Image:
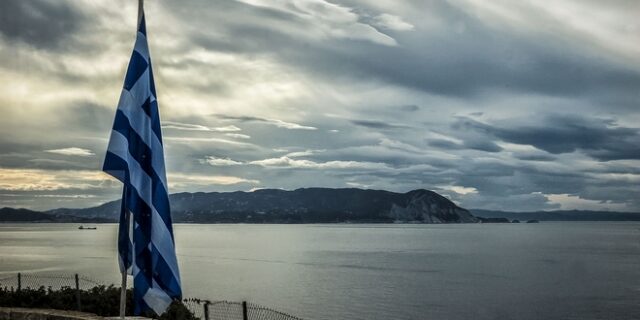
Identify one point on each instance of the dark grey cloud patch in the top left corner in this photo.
(44, 24)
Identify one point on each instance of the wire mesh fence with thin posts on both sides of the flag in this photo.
(201, 308)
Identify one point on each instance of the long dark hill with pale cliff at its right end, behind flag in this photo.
(308, 205)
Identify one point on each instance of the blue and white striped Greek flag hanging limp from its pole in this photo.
(135, 156)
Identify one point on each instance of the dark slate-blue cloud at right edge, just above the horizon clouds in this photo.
(602, 139)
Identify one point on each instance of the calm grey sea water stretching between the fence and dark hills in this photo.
(472, 271)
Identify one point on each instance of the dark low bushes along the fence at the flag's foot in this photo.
(101, 300)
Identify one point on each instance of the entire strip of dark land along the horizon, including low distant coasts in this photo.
(313, 205)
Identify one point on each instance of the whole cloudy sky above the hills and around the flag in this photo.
(511, 105)
